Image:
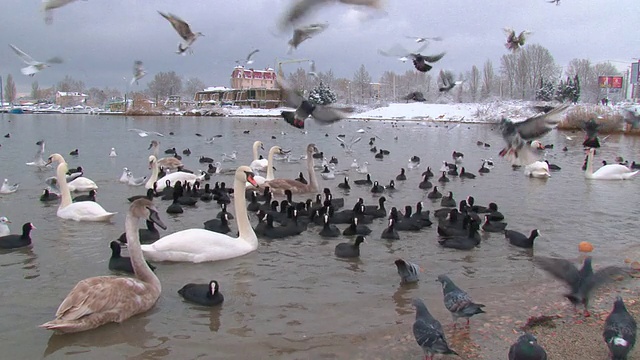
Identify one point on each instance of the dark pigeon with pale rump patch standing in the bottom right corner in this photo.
(619, 331)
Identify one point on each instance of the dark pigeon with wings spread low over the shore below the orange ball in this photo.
(582, 281)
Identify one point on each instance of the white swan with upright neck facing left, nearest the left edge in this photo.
(80, 211)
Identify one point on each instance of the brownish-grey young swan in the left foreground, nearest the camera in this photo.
(99, 300)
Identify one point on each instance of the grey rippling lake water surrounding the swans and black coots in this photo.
(292, 298)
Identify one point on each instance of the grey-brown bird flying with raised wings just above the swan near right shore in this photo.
(517, 134)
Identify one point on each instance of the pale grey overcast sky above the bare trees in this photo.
(100, 39)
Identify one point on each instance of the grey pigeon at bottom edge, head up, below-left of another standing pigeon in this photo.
(428, 332)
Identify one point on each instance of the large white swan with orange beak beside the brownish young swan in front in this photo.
(200, 245)
